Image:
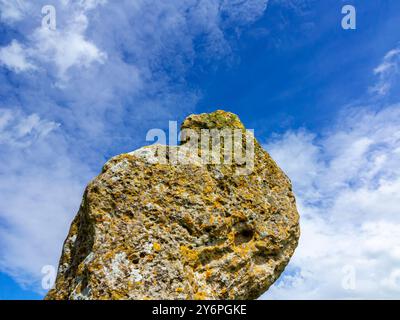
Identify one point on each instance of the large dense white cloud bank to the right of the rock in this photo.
(348, 190)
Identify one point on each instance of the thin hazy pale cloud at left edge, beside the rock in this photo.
(38, 185)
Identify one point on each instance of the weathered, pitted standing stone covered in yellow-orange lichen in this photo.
(151, 230)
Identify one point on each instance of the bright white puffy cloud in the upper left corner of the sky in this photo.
(65, 47)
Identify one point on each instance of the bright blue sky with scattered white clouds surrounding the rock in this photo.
(323, 101)
